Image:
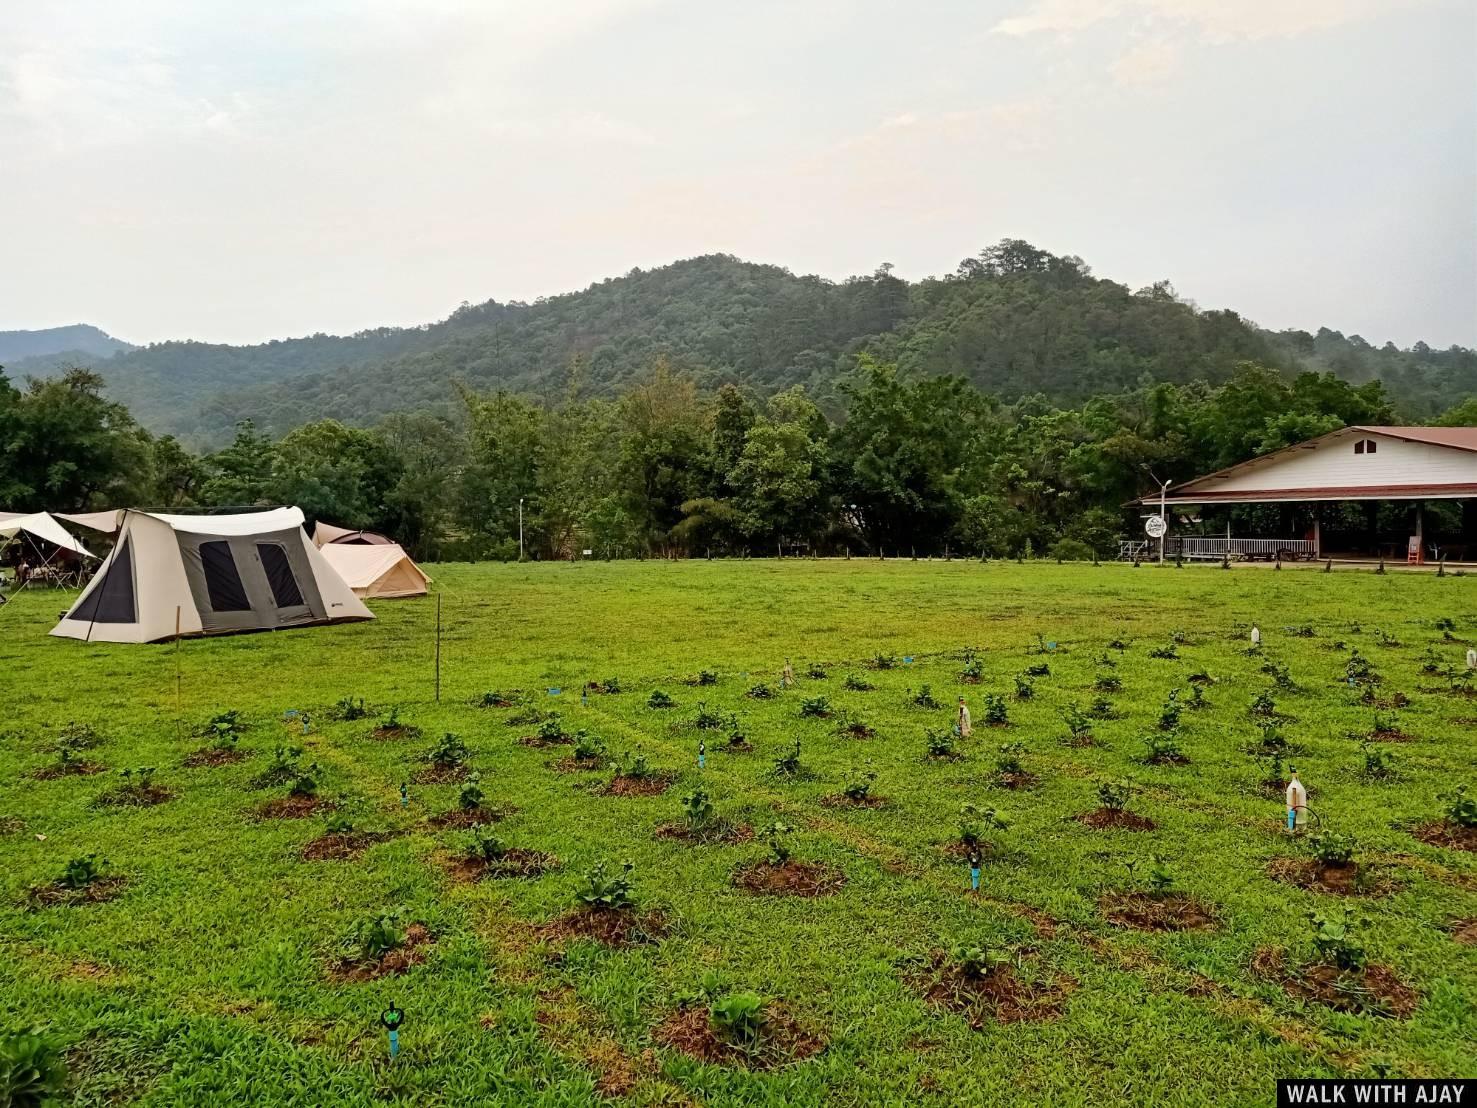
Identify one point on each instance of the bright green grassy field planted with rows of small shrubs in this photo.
(215, 971)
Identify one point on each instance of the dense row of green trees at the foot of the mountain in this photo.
(914, 463)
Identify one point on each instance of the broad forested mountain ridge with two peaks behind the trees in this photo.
(1014, 320)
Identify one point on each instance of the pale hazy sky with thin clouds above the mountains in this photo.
(237, 172)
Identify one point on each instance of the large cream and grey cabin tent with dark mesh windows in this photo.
(206, 575)
